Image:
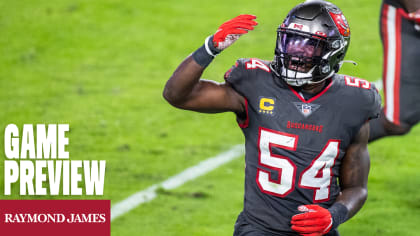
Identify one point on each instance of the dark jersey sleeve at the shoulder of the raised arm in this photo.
(237, 75)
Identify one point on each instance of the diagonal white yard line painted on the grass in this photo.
(191, 173)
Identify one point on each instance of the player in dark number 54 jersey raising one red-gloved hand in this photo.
(305, 127)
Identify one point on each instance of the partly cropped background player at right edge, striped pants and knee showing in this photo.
(400, 34)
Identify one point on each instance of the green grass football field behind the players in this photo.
(101, 65)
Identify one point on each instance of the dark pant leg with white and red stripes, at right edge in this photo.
(401, 70)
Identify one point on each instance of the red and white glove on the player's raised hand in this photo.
(231, 30)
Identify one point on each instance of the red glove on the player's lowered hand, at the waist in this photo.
(315, 221)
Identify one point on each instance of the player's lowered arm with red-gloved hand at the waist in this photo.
(316, 220)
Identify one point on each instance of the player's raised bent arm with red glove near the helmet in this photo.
(186, 90)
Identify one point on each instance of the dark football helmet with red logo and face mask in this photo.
(311, 43)
